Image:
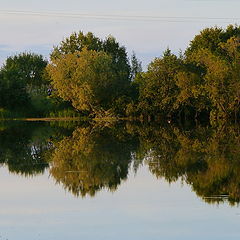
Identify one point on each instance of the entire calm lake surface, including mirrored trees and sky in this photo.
(105, 181)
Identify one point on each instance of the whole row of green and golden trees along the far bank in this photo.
(96, 78)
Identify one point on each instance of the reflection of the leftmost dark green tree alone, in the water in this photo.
(22, 148)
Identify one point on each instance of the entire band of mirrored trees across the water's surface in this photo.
(88, 158)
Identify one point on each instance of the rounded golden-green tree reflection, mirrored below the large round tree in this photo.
(93, 159)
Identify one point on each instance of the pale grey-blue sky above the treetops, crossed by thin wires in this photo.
(146, 27)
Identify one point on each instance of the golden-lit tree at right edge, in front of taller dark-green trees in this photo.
(218, 81)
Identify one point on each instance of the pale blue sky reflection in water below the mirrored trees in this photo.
(141, 208)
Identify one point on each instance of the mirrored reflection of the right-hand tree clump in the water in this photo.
(207, 159)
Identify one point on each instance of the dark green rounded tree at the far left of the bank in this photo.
(21, 76)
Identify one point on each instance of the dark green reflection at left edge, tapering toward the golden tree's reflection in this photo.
(25, 146)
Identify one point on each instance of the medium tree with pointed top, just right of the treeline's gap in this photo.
(157, 87)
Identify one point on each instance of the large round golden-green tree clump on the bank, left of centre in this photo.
(98, 72)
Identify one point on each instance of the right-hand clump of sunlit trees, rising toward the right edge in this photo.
(202, 81)
